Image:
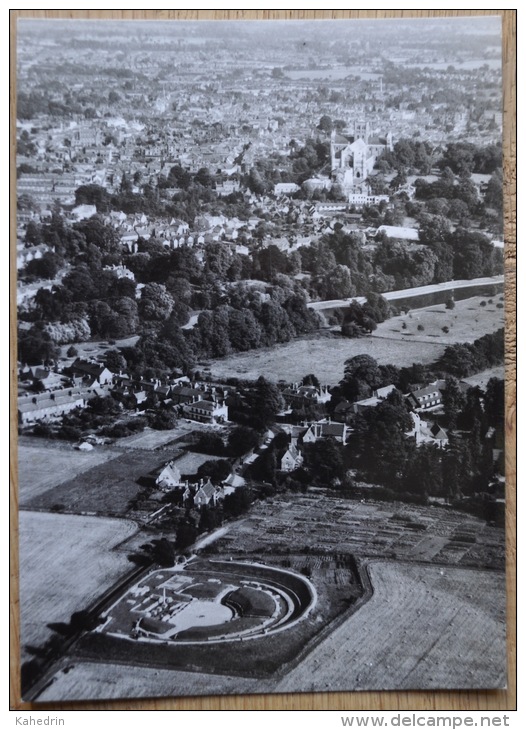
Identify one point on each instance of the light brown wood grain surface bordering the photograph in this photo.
(400, 701)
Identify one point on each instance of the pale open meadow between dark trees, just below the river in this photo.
(325, 354)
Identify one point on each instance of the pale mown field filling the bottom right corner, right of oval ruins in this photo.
(423, 627)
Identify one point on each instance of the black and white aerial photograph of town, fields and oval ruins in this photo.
(260, 330)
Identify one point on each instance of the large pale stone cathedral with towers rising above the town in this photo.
(354, 154)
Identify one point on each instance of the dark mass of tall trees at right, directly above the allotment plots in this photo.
(383, 455)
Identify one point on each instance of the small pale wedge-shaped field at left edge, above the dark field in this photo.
(42, 467)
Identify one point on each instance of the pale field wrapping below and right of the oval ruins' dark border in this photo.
(424, 626)
